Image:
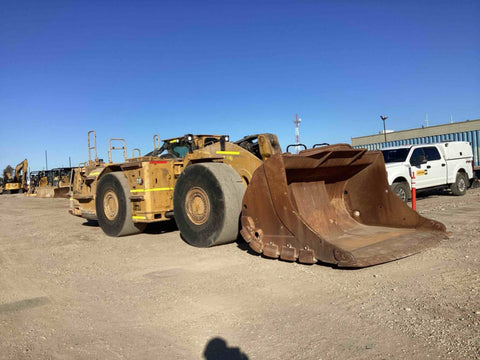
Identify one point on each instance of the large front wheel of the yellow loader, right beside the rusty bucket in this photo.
(207, 203)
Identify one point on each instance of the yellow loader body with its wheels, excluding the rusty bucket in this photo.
(199, 178)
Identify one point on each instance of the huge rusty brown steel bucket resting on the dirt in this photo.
(332, 204)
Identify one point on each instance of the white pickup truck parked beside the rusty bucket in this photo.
(447, 164)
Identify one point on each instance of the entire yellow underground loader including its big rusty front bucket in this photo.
(330, 204)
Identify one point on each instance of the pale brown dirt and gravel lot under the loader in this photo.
(70, 292)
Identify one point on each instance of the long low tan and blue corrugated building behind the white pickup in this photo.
(460, 131)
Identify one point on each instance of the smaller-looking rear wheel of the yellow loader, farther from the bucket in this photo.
(113, 206)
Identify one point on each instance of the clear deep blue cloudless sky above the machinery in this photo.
(133, 69)
